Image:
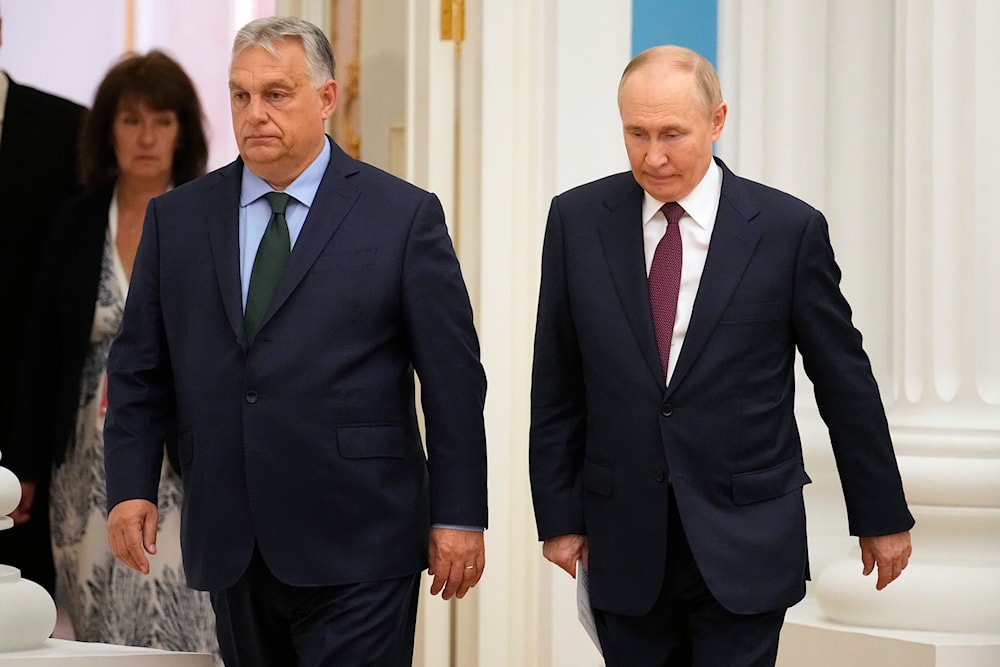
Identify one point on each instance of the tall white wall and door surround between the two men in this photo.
(547, 120)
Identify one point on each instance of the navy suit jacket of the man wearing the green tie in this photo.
(305, 443)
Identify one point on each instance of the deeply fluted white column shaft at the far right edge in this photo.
(946, 404)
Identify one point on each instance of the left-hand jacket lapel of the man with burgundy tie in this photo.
(621, 237)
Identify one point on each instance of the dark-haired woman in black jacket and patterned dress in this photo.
(144, 135)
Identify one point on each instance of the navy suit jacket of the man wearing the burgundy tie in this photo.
(607, 438)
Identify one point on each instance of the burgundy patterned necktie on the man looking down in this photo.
(665, 281)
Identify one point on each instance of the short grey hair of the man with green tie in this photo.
(269, 31)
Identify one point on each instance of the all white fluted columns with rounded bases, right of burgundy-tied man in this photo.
(880, 114)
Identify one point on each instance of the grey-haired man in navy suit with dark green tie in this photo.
(309, 506)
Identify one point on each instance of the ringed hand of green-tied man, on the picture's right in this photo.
(457, 558)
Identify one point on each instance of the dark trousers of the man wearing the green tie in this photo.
(262, 622)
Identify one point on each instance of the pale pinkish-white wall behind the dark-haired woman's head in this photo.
(65, 47)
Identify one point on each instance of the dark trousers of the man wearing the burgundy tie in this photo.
(687, 626)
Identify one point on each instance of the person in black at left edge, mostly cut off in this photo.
(38, 172)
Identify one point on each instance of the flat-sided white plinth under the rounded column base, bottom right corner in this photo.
(809, 638)
